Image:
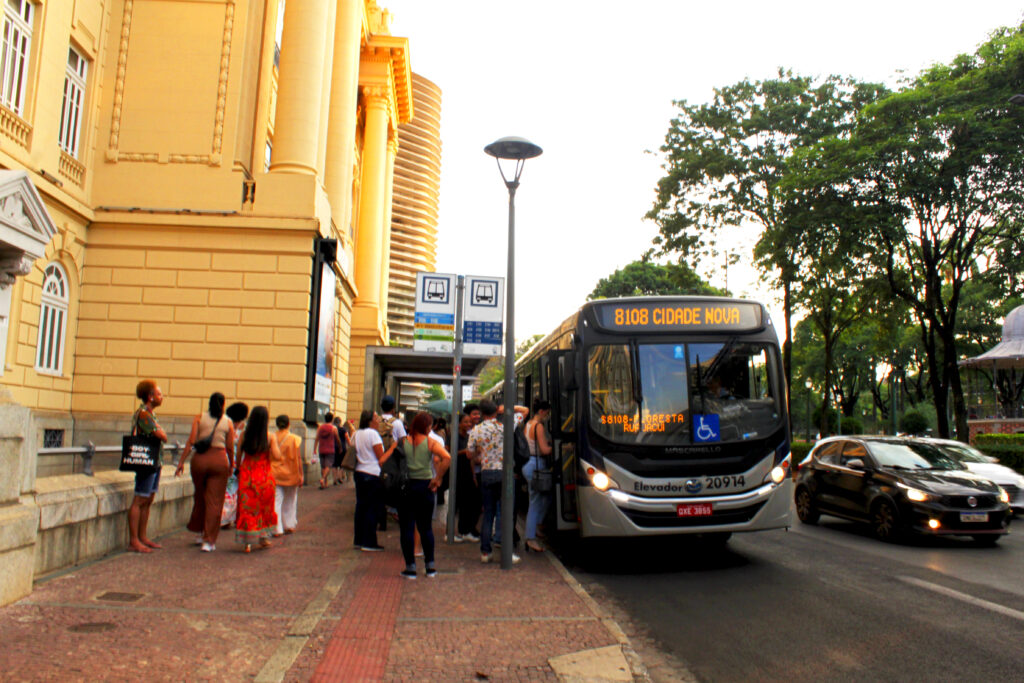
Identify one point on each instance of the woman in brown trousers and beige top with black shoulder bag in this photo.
(212, 438)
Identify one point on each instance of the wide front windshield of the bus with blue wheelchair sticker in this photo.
(681, 394)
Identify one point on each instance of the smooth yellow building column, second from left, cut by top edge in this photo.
(345, 100)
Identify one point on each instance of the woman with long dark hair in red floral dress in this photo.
(258, 520)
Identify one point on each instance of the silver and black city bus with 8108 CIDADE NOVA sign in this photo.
(669, 416)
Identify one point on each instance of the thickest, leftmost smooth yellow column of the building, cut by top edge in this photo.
(301, 81)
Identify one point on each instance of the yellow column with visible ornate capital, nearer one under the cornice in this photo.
(370, 238)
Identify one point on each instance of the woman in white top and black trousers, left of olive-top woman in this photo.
(370, 454)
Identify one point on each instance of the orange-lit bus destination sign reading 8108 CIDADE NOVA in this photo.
(680, 316)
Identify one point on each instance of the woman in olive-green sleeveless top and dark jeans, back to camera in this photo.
(428, 462)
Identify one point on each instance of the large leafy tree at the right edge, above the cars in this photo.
(937, 174)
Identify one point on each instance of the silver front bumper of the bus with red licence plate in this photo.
(616, 514)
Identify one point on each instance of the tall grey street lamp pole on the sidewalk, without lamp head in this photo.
(508, 482)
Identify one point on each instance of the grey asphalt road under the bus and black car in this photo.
(817, 604)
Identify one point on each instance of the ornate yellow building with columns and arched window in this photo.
(177, 174)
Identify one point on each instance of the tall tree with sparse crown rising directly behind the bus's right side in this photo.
(724, 161)
